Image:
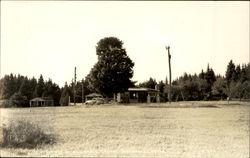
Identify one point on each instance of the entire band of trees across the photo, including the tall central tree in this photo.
(113, 73)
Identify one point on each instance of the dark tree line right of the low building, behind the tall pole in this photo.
(206, 85)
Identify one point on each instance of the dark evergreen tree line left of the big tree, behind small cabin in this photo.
(18, 90)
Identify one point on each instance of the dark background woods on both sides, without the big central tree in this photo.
(206, 85)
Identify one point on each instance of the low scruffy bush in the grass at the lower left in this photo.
(23, 134)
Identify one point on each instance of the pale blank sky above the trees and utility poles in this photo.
(52, 37)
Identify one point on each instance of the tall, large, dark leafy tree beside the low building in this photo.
(114, 69)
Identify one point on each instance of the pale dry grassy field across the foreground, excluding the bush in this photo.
(183, 129)
